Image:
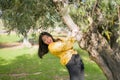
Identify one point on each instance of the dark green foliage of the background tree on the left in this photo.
(22, 15)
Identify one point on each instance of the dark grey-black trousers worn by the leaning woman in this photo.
(76, 68)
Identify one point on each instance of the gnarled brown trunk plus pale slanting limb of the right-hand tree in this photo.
(100, 51)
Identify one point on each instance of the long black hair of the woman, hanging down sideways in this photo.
(43, 48)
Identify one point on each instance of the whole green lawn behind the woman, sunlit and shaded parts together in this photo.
(24, 64)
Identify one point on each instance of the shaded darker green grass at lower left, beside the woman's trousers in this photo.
(30, 67)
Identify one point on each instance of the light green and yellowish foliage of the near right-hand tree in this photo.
(103, 12)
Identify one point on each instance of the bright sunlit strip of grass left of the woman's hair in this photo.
(12, 53)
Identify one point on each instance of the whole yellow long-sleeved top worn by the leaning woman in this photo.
(63, 49)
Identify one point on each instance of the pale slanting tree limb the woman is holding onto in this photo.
(62, 8)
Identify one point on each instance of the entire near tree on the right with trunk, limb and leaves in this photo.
(96, 24)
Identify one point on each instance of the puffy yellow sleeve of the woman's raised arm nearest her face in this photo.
(61, 45)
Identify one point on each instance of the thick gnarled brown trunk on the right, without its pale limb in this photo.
(101, 52)
